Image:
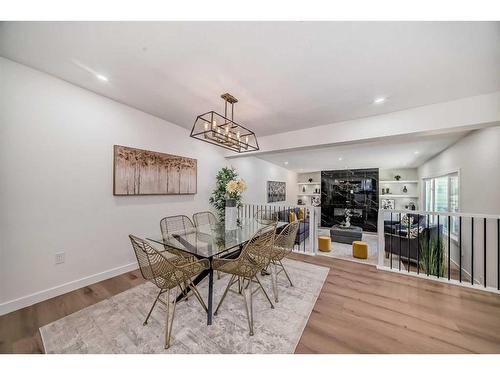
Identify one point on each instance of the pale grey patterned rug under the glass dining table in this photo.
(115, 324)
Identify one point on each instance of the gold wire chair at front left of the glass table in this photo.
(168, 274)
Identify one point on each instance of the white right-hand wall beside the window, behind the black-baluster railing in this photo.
(477, 158)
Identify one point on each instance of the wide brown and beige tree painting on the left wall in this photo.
(141, 172)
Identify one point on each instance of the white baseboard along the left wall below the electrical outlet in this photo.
(43, 295)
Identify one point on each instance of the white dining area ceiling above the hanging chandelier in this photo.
(286, 75)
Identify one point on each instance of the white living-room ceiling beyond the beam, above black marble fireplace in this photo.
(391, 153)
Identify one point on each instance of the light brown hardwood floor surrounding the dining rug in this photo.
(359, 310)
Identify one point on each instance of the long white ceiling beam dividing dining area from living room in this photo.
(467, 113)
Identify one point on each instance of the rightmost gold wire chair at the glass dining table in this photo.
(283, 245)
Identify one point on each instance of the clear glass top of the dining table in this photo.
(209, 240)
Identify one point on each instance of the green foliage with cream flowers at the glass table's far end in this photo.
(227, 186)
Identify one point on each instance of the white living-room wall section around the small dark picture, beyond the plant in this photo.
(256, 172)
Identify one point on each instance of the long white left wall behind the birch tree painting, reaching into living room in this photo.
(56, 164)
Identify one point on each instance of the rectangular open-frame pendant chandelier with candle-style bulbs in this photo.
(222, 131)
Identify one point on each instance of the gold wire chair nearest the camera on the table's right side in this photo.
(254, 257)
